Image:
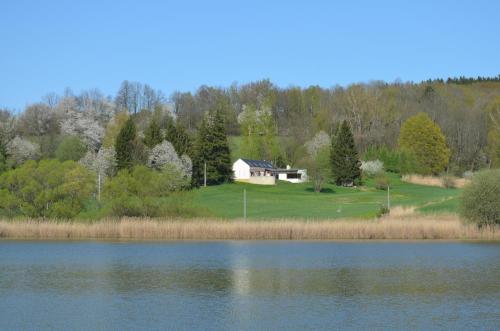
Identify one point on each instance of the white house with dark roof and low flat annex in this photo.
(264, 173)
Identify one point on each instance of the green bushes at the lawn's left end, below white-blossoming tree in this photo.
(138, 192)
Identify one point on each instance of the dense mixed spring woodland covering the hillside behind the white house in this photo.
(142, 127)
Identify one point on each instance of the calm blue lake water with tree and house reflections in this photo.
(249, 285)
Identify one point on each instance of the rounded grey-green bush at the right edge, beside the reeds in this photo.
(480, 201)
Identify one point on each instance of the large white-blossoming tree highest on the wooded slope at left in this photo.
(85, 126)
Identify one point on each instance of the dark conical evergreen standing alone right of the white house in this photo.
(344, 157)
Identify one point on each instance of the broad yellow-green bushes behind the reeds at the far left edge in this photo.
(46, 189)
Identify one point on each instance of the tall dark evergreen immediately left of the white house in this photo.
(212, 148)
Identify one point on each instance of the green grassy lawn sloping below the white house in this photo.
(287, 200)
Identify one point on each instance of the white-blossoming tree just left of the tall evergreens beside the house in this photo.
(164, 154)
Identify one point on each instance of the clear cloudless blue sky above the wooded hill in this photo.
(180, 45)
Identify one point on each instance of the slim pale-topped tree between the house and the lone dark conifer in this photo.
(318, 164)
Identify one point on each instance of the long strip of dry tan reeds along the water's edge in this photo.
(447, 227)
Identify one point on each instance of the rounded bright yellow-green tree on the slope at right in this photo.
(422, 137)
